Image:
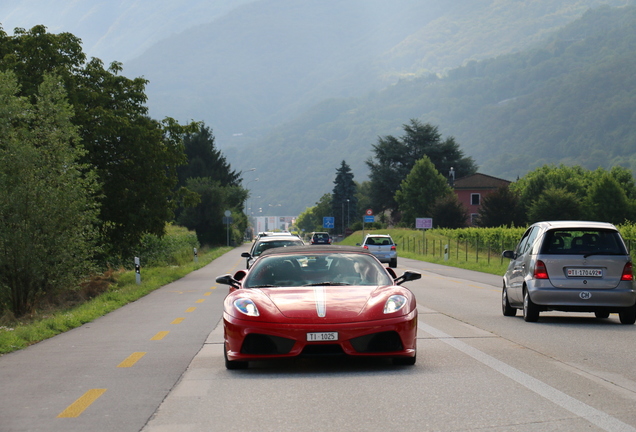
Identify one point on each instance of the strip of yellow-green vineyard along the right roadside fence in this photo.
(412, 244)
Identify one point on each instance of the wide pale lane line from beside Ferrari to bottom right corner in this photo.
(576, 407)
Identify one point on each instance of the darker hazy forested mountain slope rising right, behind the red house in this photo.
(570, 100)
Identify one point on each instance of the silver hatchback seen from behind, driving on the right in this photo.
(570, 266)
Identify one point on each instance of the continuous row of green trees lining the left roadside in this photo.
(85, 173)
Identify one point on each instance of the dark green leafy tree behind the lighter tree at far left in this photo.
(134, 156)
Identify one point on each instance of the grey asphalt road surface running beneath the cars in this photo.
(476, 371)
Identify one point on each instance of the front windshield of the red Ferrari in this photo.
(316, 270)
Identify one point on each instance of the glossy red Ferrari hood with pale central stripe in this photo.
(330, 302)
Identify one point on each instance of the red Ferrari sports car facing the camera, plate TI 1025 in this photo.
(318, 300)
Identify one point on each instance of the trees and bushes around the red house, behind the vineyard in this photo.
(406, 182)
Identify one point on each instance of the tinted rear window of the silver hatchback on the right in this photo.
(577, 241)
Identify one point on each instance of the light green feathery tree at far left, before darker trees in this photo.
(47, 205)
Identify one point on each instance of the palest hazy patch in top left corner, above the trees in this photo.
(113, 29)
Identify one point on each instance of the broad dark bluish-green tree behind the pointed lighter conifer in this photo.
(395, 158)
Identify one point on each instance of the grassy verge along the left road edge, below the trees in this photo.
(43, 325)
